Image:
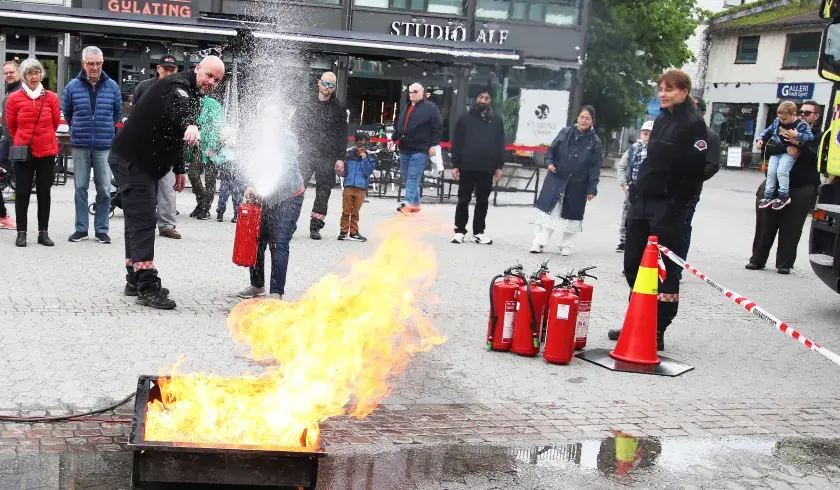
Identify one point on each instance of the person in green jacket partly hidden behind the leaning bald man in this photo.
(210, 123)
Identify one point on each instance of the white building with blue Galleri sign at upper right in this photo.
(757, 59)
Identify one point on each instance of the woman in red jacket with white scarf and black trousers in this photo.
(32, 116)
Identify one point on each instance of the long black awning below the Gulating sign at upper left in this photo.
(64, 19)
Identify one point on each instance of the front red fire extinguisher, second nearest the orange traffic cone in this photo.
(561, 324)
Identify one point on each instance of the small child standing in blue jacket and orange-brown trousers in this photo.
(357, 172)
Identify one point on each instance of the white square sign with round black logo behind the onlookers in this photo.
(542, 114)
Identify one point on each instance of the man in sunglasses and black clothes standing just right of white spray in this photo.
(323, 139)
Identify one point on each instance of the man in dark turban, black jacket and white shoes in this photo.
(477, 157)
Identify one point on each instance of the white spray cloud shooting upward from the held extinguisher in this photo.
(270, 80)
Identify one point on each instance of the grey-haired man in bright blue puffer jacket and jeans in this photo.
(92, 106)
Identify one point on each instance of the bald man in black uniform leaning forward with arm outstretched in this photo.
(145, 150)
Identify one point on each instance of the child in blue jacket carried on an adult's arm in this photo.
(783, 154)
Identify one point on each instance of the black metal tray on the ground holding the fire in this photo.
(214, 464)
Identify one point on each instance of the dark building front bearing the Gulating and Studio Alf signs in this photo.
(529, 50)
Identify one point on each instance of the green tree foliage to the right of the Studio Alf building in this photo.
(630, 43)
